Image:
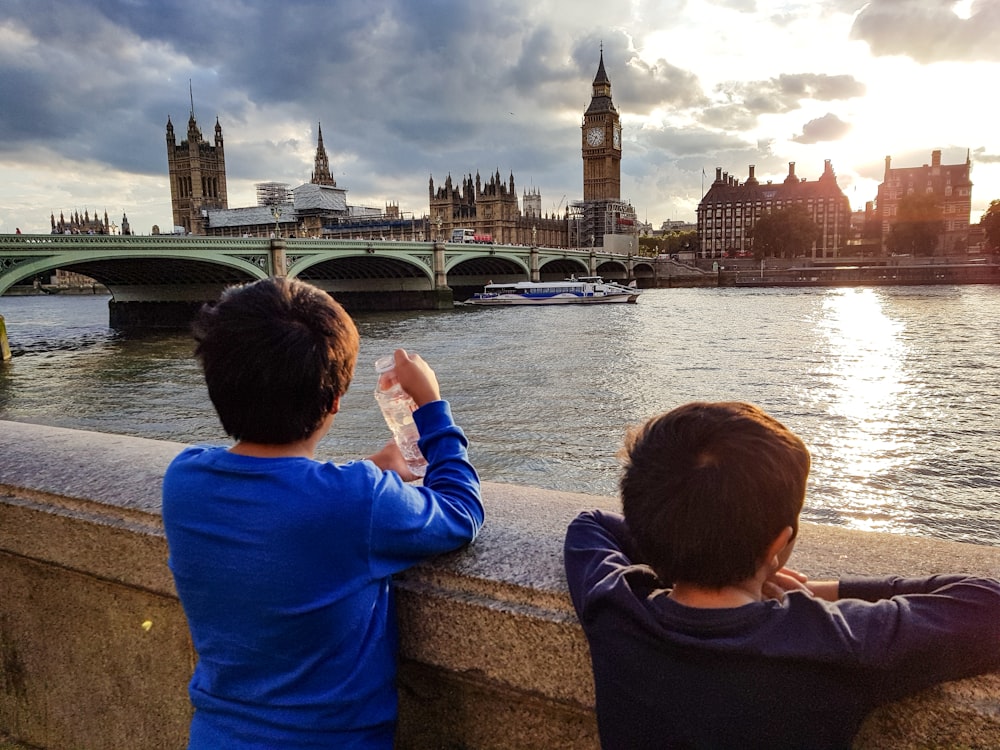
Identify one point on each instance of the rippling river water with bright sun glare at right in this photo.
(895, 390)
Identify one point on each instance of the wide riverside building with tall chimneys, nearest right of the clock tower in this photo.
(729, 210)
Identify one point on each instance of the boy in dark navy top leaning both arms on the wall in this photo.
(701, 638)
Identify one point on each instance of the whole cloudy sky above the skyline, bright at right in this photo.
(412, 89)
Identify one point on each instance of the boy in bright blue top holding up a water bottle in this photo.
(283, 563)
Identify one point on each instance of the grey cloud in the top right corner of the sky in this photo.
(929, 31)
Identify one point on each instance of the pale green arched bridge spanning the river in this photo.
(160, 280)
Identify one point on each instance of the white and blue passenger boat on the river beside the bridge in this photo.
(585, 290)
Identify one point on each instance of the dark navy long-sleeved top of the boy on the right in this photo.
(797, 673)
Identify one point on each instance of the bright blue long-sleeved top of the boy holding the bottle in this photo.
(283, 567)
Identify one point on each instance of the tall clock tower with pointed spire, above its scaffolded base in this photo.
(601, 143)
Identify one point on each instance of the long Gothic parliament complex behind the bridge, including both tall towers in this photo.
(488, 206)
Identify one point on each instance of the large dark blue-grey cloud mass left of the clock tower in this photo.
(97, 80)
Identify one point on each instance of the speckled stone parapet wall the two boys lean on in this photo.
(94, 650)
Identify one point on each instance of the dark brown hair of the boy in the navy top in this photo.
(707, 487)
